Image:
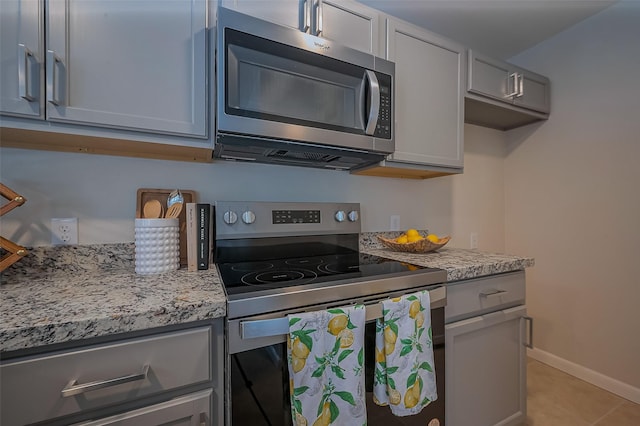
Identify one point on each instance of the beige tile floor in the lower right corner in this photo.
(555, 398)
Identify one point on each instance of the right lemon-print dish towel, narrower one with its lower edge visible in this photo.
(404, 371)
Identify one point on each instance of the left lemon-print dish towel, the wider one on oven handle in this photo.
(326, 361)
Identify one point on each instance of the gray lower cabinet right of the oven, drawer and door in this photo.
(486, 338)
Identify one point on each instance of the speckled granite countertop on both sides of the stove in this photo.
(63, 294)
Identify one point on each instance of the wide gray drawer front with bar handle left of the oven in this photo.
(33, 388)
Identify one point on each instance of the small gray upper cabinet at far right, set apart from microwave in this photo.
(504, 96)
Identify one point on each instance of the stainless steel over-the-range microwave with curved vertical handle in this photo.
(288, 97)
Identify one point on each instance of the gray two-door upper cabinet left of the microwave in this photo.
(135, 65)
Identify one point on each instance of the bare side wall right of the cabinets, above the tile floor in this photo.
(573, 199)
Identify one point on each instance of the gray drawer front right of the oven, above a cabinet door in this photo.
(475, 297)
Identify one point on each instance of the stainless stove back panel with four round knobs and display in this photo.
(238, 219)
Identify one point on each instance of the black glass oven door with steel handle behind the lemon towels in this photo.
(259, 378)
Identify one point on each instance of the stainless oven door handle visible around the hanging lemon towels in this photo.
(253, 329)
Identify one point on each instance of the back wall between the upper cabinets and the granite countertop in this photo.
(101, 192)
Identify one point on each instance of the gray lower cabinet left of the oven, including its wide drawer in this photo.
(162, 378)
